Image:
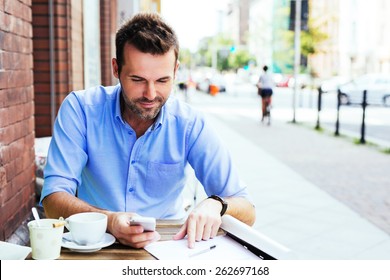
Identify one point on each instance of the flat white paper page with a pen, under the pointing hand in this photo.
(226, 249)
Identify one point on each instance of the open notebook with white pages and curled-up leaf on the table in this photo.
(241, 242)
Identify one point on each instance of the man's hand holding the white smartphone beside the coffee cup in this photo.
(134, 236)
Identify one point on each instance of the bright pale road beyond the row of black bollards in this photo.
(243, 101)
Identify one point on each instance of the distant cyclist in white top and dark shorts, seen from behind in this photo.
(265, 85)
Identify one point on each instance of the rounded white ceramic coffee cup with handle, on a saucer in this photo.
(87, 228)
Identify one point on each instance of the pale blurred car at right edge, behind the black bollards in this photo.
(377, 86)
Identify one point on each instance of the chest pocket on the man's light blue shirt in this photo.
(164, 179)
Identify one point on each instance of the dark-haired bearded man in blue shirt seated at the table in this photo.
(122, 150)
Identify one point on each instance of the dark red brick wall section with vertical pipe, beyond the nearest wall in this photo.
(63, 82)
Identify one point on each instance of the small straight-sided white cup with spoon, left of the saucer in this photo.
(45, 238)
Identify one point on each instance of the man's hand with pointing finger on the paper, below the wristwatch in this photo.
(203, 222)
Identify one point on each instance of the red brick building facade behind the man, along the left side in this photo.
(48, 48)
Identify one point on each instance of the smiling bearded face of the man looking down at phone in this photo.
(146, 81)
